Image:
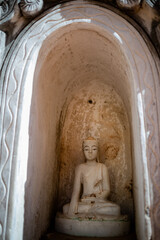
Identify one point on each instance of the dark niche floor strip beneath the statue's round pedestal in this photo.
(59, 236)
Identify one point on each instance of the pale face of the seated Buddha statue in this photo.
(90, 149)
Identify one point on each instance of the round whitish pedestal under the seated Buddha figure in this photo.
(111, 227)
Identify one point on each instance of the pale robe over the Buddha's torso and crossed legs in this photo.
(93, 179)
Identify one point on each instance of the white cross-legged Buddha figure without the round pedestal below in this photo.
(93, 177)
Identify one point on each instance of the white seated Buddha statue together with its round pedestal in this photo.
(89, 212)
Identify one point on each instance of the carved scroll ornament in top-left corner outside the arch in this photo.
(16, 14)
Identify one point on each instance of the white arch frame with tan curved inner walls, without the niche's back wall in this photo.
(52, 60)
